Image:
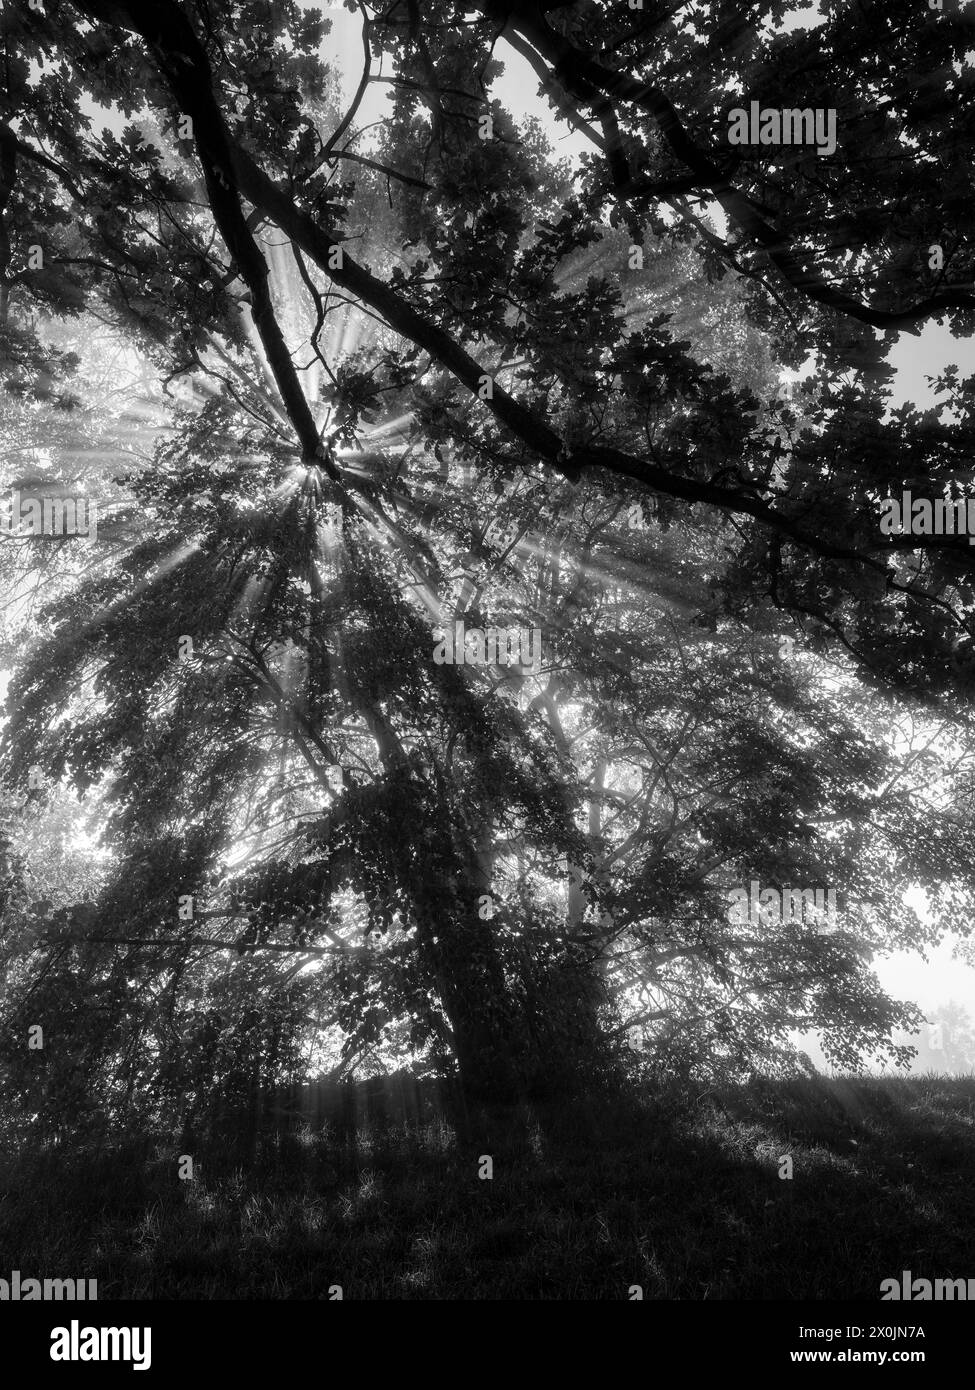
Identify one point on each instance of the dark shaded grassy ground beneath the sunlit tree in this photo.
(679, 1196)
